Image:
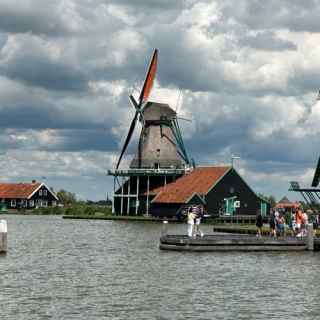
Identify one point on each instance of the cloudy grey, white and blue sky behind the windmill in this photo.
(248, 73)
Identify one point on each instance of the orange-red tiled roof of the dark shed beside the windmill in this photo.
(199, 181)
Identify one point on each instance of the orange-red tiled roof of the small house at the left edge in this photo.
(17, 190)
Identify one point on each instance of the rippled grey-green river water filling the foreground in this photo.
(76, 269)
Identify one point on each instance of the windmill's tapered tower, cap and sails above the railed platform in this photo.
(160, 143)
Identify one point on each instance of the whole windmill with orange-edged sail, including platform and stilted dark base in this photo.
(161, 156)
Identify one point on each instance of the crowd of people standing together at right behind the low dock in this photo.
(297, 221)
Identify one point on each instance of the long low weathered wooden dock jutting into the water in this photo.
(238, 242)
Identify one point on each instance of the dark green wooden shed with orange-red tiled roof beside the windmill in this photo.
(209, 186)
